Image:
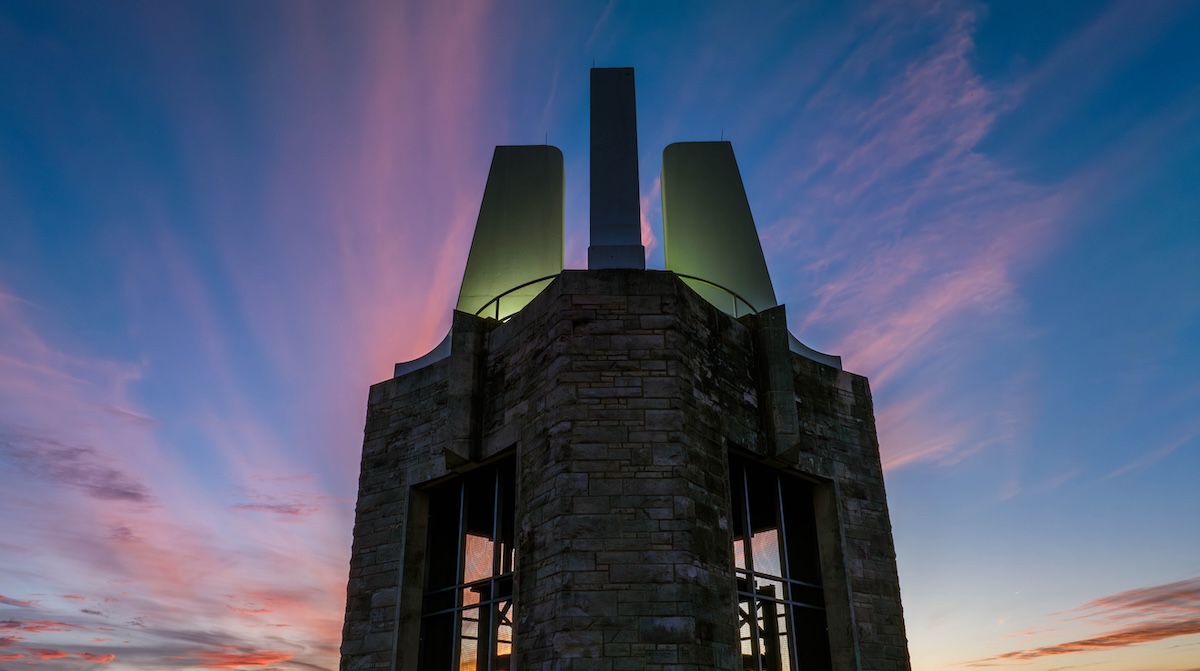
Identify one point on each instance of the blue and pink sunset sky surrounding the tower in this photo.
(220, 223)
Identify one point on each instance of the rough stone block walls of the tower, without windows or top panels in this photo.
(621, 393)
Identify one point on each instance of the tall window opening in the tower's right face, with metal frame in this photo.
(778, 567)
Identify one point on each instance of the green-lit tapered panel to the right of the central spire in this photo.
(709, 231)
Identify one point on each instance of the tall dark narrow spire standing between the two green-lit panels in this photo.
(616, 211)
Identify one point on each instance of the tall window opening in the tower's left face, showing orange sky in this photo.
(469, 620)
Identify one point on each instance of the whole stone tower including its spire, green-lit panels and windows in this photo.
(619, 469)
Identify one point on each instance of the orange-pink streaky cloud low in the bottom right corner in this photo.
(1135, 618)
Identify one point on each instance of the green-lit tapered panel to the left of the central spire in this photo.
(519, 237)
